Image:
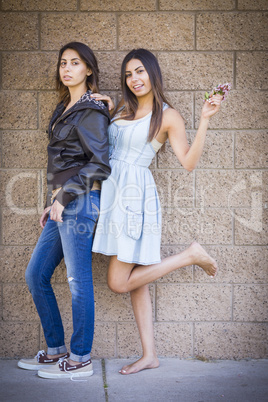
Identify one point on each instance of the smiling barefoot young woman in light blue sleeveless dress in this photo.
(129, 227)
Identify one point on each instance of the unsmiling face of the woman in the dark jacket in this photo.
(73, 70)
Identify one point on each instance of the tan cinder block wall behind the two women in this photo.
(222, 204)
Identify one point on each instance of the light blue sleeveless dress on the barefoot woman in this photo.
(129, 224)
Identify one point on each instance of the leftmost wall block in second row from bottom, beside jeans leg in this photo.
(18, 304)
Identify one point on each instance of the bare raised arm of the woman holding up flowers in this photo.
(174, 126)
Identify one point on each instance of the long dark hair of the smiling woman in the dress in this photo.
(131, 103)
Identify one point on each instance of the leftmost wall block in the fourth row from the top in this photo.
(19, 110)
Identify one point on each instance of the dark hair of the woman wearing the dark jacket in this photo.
(87, 55)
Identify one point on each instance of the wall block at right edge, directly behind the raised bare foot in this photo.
(237, 264)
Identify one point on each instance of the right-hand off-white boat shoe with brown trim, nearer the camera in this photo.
(64, 370)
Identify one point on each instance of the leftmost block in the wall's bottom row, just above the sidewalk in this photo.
(19, 339)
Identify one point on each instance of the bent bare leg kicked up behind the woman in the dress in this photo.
(124, 277)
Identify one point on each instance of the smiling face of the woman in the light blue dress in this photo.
(137, 78)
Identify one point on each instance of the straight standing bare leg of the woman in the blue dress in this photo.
(142, 307)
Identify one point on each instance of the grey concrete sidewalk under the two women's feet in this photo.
(174, 381)
